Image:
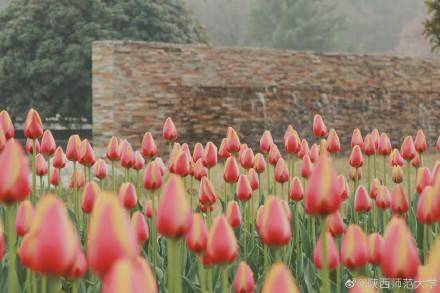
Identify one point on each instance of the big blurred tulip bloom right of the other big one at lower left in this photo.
(110, 235)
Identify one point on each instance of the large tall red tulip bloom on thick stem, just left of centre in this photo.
(174, 213)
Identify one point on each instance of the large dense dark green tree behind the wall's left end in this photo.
(45, 47)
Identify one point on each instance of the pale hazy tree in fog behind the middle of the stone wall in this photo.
(295, 24)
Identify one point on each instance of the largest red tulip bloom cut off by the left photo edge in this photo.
(14, 174)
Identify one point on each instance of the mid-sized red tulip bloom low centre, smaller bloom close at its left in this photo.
(222, 247)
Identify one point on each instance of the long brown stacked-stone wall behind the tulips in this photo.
(136, 85)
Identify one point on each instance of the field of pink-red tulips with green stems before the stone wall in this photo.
(301, 216)
